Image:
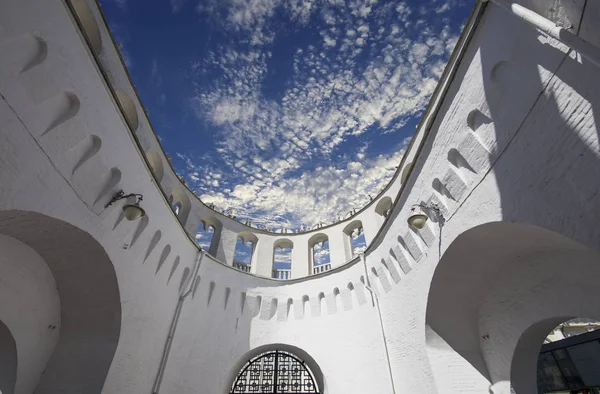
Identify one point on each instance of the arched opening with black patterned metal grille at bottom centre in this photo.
(277, 368)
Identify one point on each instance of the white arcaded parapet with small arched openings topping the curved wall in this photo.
(194, 211)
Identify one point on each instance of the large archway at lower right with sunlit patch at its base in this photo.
(497, 292)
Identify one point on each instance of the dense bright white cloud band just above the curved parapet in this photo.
(322, 194)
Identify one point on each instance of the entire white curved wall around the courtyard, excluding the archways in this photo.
(515, 102)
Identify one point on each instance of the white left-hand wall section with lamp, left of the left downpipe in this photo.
(60, 170)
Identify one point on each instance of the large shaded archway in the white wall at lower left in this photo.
(65, 305)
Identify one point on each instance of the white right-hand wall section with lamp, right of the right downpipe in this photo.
(533, 132)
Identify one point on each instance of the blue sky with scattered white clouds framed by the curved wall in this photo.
(285, 112)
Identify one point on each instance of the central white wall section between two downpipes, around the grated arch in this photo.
(222, 321)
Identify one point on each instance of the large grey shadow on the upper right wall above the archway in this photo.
(547, 154)
